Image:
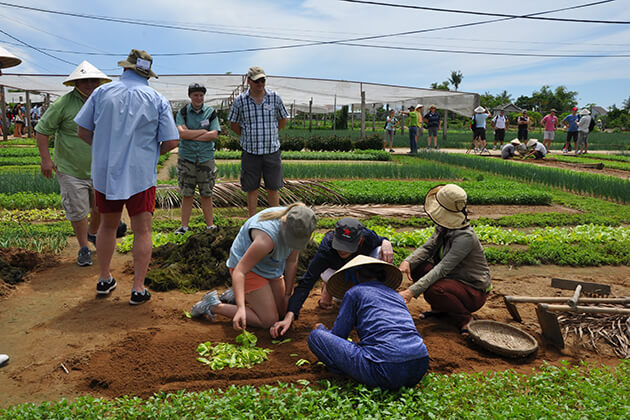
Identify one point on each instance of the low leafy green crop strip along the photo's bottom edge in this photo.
(577, 392)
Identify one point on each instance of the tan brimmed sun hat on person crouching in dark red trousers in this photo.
(446, 206)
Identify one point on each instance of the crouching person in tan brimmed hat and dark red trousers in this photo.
(450, 269)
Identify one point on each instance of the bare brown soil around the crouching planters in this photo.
(111, 348)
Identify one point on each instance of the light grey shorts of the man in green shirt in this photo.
(77, 196)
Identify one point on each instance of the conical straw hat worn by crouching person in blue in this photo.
(344, 278)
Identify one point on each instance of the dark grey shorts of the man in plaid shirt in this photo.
(254, 166)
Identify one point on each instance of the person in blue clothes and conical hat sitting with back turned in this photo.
(391, 353)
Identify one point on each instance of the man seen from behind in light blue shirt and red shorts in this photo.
(128, 124)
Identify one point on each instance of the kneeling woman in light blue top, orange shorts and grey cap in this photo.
(267, 246)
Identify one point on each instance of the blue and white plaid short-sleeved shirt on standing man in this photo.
(259, 123)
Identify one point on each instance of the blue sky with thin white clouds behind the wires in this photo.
(228, 25)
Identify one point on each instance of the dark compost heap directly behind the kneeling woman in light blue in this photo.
(199, 263)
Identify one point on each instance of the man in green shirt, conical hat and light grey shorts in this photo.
(72, 156)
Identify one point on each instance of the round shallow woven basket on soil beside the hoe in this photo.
(502, 339)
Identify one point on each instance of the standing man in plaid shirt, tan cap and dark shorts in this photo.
(257, 115)
